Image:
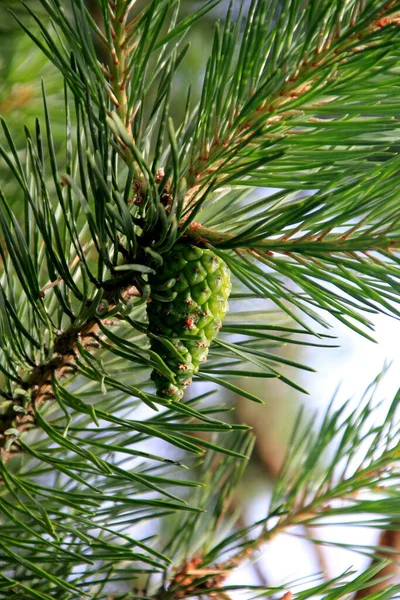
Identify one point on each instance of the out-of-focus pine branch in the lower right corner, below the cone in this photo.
(308, 495)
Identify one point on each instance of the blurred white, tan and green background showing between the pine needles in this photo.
(345, 371)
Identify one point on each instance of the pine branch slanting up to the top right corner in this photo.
(258, 120)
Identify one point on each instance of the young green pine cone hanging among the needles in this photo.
(189, 296)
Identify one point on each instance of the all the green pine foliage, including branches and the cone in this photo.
(125, 202)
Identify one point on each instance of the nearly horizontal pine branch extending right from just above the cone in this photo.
(346, 248)
